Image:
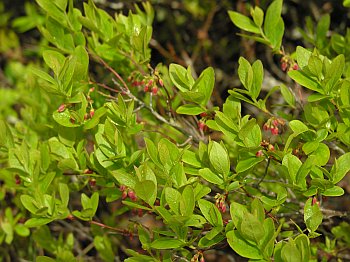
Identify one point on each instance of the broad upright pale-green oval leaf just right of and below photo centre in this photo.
(219, 158)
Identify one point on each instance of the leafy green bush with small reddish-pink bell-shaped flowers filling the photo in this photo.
(99, 127)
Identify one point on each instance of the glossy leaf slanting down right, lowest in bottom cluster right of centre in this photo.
(241, 246)
